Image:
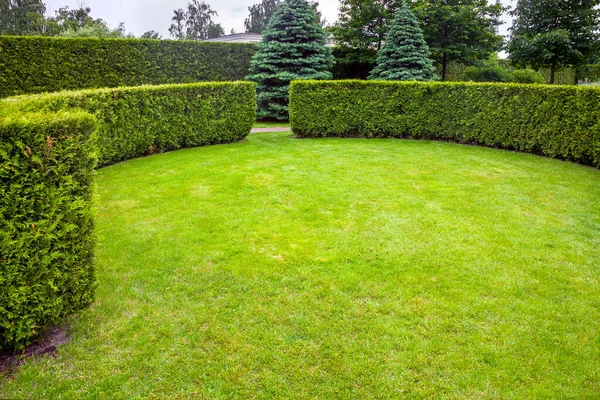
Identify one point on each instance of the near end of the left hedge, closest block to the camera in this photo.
(46, 221)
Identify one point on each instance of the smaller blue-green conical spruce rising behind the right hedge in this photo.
(405, 54)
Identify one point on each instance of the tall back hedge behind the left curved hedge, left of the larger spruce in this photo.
(49, 64)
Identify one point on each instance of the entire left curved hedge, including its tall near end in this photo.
(46, 168)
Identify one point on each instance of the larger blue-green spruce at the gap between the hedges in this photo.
(293, 47)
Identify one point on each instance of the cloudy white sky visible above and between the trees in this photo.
(145, 15)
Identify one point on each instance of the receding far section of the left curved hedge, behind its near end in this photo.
(134, 121)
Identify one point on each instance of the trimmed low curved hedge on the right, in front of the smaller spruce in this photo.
(555, 121)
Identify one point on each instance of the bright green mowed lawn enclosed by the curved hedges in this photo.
(337, 268)
